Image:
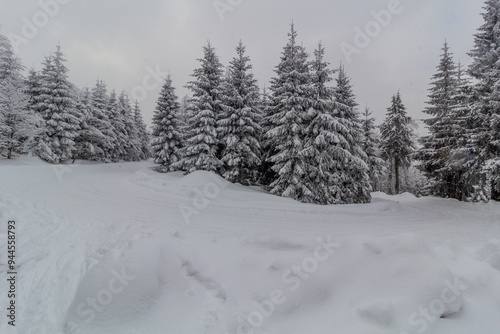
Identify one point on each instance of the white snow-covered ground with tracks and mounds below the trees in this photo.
(119, 248)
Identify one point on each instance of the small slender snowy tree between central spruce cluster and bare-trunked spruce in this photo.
(371, 145)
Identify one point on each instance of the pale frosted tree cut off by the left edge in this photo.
(17, 122)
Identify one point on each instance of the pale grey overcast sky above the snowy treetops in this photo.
(121, 42)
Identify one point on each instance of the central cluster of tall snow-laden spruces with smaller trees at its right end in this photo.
(303, 139)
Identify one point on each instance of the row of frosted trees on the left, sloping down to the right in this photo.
(47, 115)
